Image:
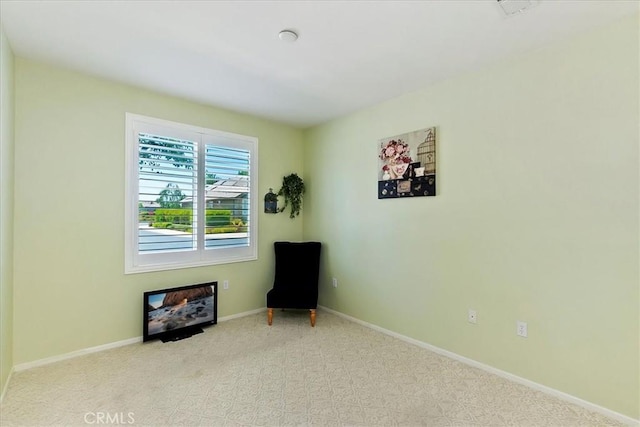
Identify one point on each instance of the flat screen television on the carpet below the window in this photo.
(176, 313)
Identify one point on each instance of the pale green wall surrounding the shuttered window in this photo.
(71, 292)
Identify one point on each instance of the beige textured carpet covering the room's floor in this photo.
(242, 372)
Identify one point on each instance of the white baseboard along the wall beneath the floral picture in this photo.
(548, 390)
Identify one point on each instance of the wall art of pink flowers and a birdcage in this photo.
(407, 165)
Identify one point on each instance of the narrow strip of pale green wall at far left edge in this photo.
(6, 210)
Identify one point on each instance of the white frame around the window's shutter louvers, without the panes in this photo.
(136, 262)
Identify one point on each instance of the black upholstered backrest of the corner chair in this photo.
(297, 265)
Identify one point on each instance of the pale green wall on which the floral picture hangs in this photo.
(536, 217)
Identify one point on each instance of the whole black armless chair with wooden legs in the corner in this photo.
(296, 278)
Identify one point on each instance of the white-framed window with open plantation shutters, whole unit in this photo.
(190, 196)
